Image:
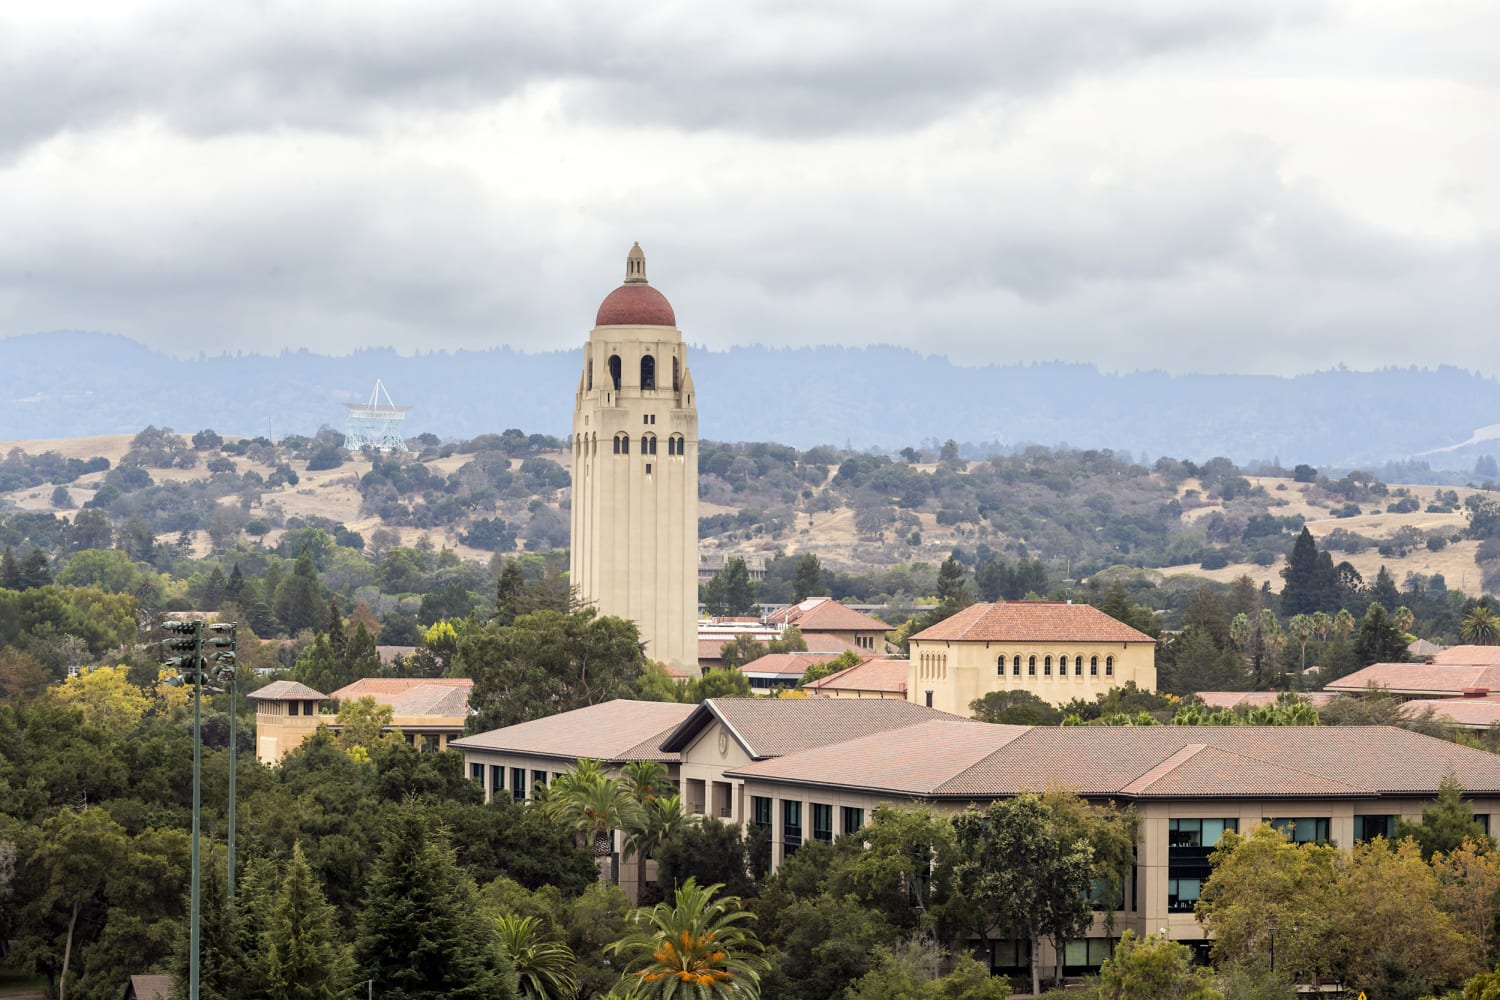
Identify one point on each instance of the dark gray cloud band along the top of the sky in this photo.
(770, 68)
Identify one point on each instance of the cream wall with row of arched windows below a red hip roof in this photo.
(959, 672)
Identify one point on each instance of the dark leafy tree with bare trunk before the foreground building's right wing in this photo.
(1022, 873)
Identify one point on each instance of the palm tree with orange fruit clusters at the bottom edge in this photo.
(695, 948)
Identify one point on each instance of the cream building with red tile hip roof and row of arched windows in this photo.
(1055, 650)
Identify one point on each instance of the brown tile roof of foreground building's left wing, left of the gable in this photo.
(619, 731)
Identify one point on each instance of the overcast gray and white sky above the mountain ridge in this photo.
(1183, 185)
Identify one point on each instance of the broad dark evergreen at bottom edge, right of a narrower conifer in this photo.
(422, 933)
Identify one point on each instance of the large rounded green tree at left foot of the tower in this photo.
(547, 663)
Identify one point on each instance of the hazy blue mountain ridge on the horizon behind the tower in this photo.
(70, 385)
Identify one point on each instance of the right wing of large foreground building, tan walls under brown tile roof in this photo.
(1187, 785)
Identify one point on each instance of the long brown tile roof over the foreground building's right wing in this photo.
(941, 759)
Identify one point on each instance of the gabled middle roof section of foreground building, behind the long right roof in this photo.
(772, 728)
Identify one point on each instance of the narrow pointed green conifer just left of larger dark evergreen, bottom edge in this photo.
(305, 954)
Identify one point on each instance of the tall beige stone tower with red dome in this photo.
(635, 472)
